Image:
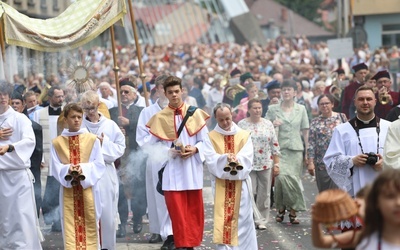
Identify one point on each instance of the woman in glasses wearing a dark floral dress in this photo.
(321, 130)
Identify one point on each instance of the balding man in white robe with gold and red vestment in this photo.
(234, 226)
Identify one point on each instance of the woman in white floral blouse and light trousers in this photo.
(266, 158)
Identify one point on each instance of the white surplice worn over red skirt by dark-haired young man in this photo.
(183, 174)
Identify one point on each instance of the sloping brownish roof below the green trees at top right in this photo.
(266, 10)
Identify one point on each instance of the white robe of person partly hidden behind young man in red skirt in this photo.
(159, 220)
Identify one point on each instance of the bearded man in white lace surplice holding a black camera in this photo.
(354, 156)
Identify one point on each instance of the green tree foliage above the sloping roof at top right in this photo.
(305, 8)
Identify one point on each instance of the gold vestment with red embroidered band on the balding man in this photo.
(227, 192)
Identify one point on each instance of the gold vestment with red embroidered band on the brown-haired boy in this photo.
(80, 228)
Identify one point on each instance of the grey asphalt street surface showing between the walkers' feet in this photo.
(276, 236)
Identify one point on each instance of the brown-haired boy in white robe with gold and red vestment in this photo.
(78, 150)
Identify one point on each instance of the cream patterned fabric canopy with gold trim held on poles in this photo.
(81, 22)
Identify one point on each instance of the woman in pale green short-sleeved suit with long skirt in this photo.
(292, 120)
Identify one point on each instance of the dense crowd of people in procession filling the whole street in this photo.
(271, 111)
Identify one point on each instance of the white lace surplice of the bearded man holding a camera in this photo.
(344, 146)
